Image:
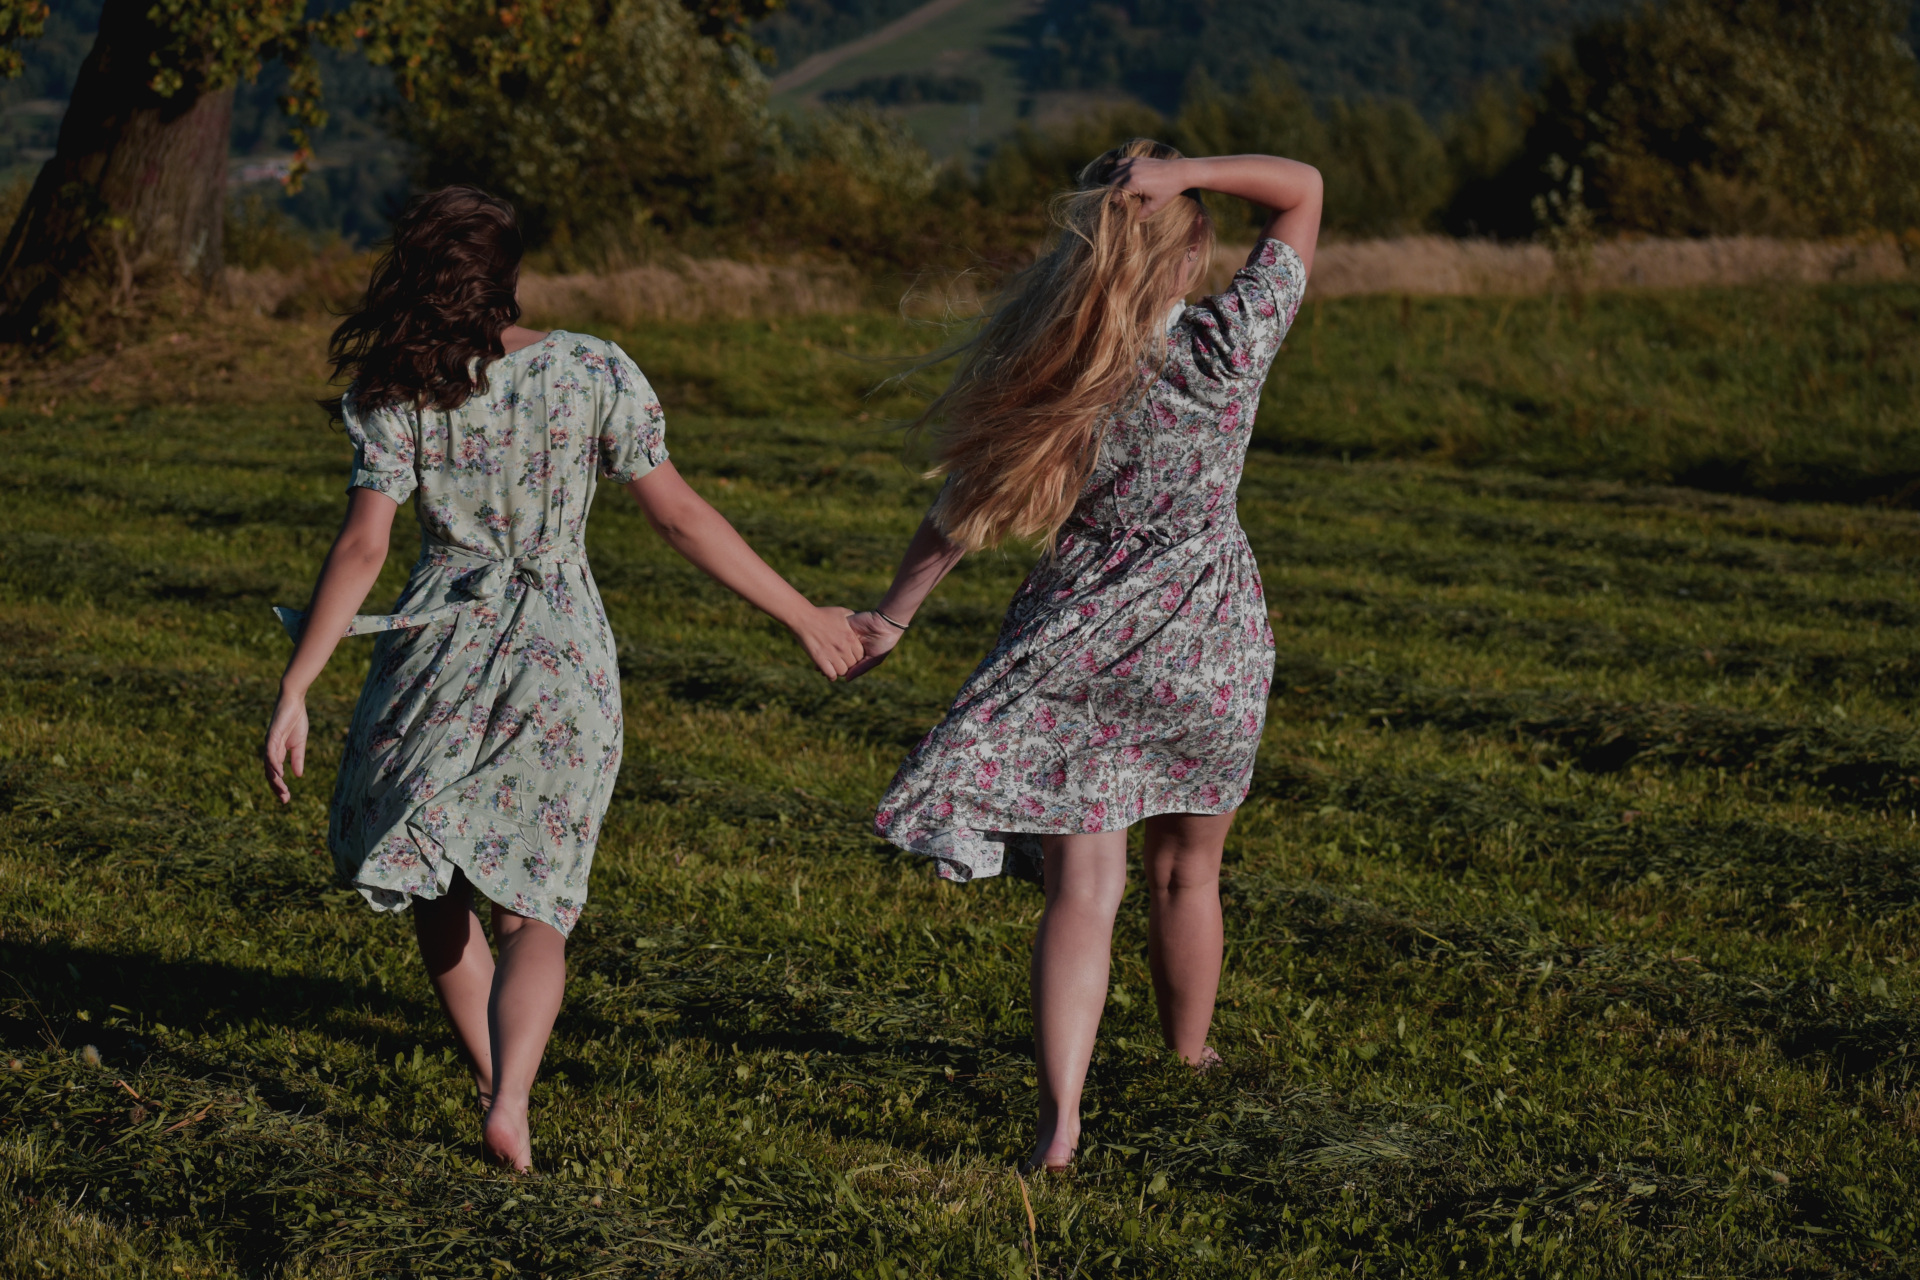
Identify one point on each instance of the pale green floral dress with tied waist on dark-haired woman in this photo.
(489, 734)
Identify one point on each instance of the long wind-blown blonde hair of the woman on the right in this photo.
(1070, 343)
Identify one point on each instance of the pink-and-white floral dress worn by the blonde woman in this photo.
(1134, 665)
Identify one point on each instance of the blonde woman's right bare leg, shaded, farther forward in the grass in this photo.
(1184, 928)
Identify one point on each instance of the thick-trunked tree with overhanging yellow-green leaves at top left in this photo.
(135, 191)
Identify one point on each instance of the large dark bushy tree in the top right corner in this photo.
(1725, 116)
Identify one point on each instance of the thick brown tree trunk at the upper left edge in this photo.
(135, 193)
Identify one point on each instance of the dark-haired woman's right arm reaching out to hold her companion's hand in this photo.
(713, 546)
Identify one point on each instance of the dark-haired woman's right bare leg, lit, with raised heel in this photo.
(527, 997)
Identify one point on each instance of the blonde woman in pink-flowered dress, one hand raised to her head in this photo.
(1103, 417)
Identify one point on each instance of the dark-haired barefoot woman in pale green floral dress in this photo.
(487, 740)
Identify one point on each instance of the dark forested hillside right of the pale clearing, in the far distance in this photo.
(1431, 55)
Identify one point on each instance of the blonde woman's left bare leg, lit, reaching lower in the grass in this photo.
(1072, 955)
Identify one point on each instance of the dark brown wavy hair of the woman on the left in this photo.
(435, 310)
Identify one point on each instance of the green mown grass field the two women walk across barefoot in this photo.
(1572, 920)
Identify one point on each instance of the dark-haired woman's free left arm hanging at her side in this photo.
(352, 567)
